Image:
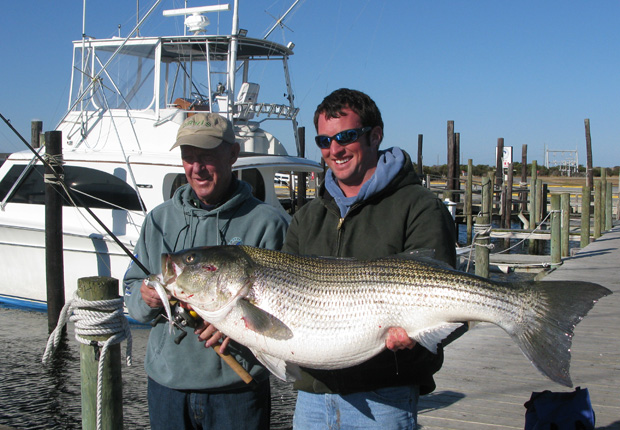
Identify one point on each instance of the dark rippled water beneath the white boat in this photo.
(34, 396)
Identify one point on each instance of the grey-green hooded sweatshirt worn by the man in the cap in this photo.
(181, 223)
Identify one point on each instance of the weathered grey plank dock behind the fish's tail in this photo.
(485, 379)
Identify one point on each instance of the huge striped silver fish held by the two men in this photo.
(297, 312)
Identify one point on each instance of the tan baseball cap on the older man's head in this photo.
(205, 131)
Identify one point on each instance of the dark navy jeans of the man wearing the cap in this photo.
(235, 409)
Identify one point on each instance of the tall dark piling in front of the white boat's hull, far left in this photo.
(54, 261)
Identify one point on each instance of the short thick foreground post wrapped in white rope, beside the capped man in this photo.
(94, 289)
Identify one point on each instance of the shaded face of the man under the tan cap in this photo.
(209, 171)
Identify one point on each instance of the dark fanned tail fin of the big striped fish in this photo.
(545, 332)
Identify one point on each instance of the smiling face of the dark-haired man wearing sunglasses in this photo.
(355, 163)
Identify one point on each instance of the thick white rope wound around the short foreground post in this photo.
(93, 318)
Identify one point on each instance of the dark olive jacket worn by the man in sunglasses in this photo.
(400, 217)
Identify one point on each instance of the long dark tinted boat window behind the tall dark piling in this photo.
(96, 189)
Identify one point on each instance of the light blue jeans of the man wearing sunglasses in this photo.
(388, 408)
